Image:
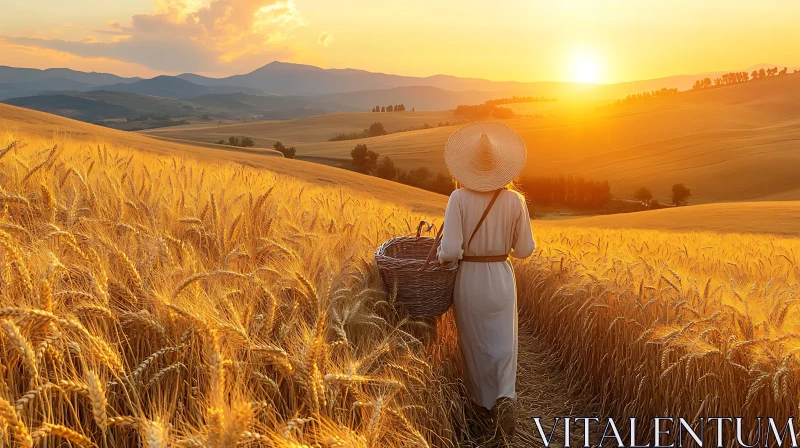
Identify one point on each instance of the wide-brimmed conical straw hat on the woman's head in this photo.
(485, 156)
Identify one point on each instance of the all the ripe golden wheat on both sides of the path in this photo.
(149, 299)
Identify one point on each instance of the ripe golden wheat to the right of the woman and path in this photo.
(670, 324)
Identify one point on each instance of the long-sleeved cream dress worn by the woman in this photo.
(485, 296)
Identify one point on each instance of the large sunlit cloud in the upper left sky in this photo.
(220, 36)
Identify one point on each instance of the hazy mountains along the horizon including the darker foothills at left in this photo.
(283, 90)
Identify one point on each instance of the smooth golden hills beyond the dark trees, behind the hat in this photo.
(728, 144)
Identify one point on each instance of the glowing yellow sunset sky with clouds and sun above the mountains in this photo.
(502, 40)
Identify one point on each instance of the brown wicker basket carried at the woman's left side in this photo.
(408, 266)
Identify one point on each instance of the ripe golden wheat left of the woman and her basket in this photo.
(160, 301)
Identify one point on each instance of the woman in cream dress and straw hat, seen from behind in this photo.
(485, 223)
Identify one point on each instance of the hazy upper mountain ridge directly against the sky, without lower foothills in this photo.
(280, 78)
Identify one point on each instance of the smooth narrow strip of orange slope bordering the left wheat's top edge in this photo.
(27, 121)
